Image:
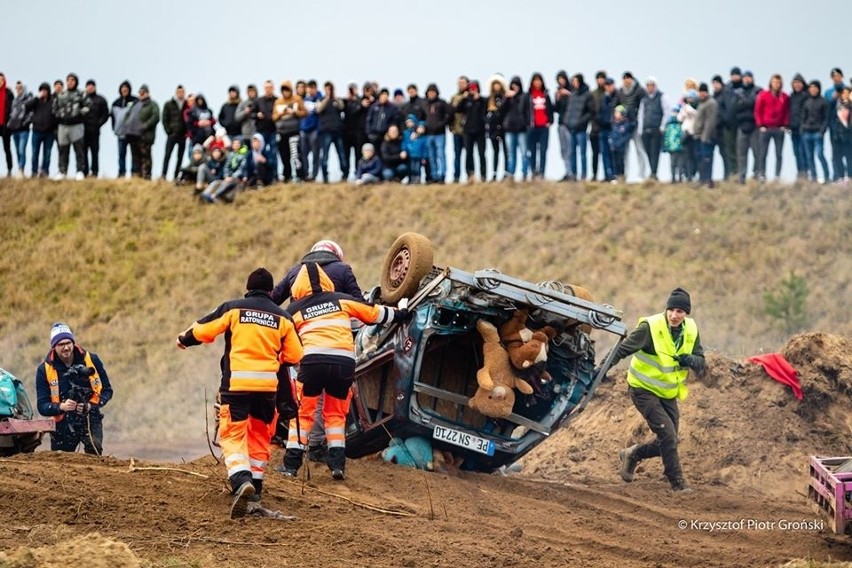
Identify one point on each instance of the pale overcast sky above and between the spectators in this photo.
(210, 45)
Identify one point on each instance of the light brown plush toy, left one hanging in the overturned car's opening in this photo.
(497, 380)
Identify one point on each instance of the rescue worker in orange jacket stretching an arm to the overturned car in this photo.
(322, 317)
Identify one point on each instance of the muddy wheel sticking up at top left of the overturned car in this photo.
(408, 260)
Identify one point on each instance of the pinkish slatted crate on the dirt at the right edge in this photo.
(831, 490)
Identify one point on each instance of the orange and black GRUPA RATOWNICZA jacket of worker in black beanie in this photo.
(259, 336)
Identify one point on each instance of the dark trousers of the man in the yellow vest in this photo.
(662, 416)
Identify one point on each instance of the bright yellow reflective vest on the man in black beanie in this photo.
(661, 374)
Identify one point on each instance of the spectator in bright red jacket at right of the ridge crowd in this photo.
(772, 119)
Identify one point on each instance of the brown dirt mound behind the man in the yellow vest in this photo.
(739, 428)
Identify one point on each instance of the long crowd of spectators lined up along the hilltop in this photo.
(497, 130)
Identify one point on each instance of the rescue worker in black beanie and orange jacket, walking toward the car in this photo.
(259, 338)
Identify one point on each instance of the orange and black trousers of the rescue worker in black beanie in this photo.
(246, 425)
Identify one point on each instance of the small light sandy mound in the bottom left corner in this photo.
(92, 550)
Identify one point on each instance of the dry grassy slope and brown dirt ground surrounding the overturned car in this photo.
(129, 265)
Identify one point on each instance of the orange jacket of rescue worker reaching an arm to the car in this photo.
(322, 316)
